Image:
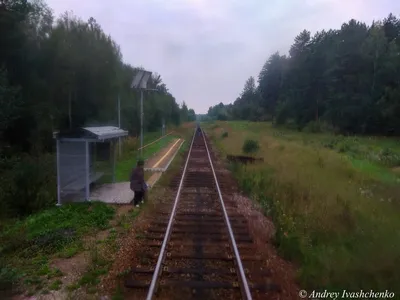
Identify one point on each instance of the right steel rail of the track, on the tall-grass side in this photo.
(234, 246)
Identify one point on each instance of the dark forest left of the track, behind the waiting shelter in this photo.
(55, 74)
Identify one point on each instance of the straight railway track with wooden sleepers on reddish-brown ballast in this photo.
(199, 246)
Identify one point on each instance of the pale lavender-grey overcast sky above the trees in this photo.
(206, 49)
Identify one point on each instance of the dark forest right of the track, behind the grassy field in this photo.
(345, 81)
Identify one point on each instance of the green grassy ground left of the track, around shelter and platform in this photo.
(29, 247)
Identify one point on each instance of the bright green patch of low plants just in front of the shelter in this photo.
(55, 228)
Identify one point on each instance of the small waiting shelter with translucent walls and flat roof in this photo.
(84, 156)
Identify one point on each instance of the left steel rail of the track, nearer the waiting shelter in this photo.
(168, 231)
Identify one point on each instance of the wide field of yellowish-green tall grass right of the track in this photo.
(334, 201)
